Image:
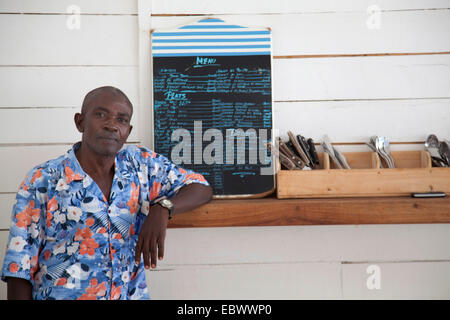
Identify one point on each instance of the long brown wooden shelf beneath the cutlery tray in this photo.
(291, 212)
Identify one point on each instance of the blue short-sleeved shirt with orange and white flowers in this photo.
(71, 242)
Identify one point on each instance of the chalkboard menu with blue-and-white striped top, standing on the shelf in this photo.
(212, 104)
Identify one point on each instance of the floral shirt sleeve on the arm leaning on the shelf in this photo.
(166, 178)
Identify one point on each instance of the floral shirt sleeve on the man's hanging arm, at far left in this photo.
(21, 258)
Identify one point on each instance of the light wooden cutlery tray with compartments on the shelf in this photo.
(413, 174)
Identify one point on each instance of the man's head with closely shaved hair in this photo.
(104, 120)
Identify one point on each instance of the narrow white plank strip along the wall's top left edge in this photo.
(61, 6)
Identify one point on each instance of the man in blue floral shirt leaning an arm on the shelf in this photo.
(82, 221)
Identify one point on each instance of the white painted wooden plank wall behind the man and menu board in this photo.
(332, 74)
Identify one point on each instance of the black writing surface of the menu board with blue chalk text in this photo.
(232, 94)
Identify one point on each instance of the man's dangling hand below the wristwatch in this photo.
(152, 236)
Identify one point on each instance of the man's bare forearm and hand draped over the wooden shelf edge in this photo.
(153, 232)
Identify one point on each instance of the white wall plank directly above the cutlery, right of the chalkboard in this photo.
(356, 121)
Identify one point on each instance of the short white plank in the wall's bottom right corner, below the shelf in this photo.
(413, 280)
